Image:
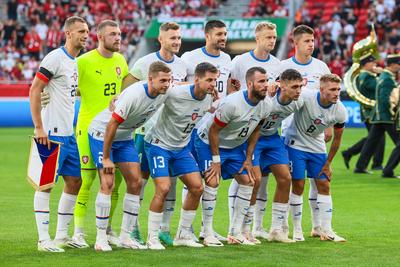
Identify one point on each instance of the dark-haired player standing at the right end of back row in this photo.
(312, 70)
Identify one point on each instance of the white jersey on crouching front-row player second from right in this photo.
(278, 113)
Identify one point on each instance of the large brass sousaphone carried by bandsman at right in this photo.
(365, 46)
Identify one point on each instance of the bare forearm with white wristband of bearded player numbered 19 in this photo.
(213, 173)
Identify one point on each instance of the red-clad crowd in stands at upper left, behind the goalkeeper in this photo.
(33, 28)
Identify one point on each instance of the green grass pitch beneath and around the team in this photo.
(366, 212)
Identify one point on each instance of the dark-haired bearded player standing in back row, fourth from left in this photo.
(216, 36)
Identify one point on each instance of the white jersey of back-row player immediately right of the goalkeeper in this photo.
(140, 71)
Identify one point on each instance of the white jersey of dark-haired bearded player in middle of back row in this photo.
(222, 62)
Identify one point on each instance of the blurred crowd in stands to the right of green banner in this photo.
(336, 35)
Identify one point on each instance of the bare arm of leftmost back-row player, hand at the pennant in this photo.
(35, 91)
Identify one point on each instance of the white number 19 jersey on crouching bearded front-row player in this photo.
(238, 116)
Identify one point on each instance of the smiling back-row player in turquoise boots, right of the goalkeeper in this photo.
(170, 41)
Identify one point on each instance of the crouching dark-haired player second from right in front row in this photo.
(270, 155)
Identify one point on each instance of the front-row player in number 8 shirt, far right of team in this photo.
(307, 152)
